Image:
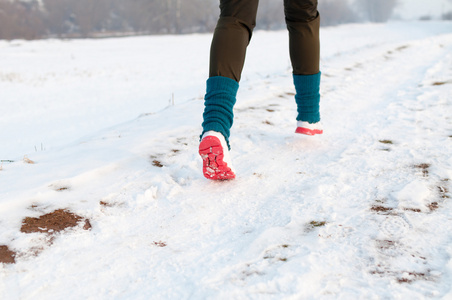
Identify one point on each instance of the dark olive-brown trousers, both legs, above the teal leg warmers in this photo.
(235, 27)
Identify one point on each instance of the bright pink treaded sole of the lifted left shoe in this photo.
(212, 155)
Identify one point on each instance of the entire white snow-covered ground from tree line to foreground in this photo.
(362, 212)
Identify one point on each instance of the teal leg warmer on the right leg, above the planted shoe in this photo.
(307, 97)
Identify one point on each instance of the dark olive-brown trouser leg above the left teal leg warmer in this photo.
(231, 37)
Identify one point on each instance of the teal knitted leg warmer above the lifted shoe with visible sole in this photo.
(219, 101)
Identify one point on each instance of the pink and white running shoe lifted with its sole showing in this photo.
(215, 155)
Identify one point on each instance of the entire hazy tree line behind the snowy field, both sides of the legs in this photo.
(32, 19)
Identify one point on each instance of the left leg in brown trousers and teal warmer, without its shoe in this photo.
(227, 55)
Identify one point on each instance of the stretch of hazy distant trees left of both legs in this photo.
(93, 18)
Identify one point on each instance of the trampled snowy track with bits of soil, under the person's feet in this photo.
(362, 212)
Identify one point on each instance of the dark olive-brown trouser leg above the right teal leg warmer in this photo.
(303, 23)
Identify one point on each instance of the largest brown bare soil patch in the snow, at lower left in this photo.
(53, 222)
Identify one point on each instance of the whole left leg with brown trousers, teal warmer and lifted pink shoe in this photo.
(227, 56)
